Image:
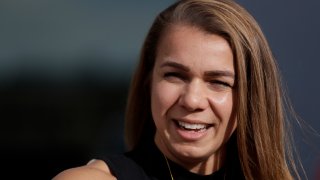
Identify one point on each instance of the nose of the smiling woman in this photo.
(194, 96)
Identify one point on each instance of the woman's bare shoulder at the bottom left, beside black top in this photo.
(95, 169)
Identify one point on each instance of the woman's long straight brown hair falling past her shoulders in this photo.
(261, 135)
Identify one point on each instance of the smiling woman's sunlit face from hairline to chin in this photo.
(192, 95)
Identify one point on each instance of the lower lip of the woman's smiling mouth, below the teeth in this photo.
(190, 135)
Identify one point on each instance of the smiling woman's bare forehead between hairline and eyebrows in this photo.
(193, 47)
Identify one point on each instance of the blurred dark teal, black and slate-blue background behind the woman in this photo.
(65, 68)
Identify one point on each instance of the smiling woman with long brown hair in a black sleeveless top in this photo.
(205, 102)
